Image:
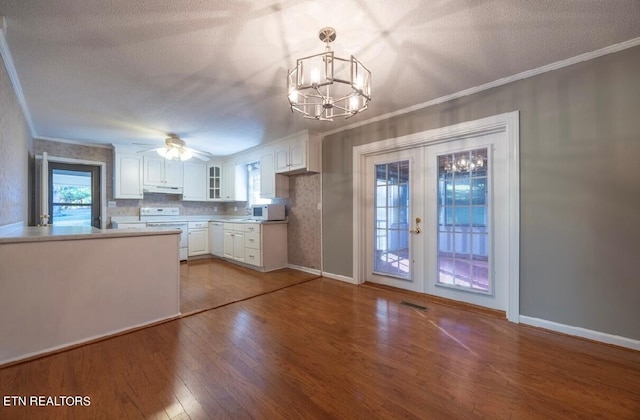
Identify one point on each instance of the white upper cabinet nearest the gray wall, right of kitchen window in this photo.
(299, 153)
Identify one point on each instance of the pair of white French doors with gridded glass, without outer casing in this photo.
(437, 222)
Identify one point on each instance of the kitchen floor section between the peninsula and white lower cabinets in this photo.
(211, 282)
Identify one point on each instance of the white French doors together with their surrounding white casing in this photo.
(437, 213)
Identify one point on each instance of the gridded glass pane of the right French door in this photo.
(463, 234)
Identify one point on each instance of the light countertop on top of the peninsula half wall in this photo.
(62, 233)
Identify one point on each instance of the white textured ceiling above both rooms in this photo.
(214, 72)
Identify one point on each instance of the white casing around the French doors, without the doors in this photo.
(508, 123)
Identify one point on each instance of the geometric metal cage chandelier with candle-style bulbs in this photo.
(323, 86)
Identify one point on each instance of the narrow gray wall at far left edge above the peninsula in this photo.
(15, 144)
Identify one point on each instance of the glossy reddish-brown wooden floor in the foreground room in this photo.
(324, 349)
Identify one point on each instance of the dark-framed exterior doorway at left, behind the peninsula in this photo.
(74, 195)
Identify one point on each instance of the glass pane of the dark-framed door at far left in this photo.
(71, 201)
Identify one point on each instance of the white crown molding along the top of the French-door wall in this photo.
(500, 82)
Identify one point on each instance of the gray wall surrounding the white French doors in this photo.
(580, 188)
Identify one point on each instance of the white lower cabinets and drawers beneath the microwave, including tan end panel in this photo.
(261, 245)
